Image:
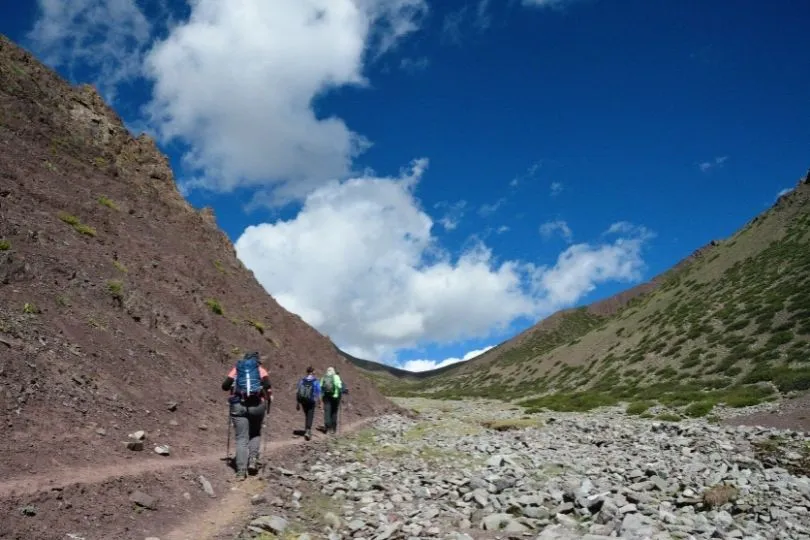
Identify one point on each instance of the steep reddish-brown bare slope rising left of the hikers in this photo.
(117, 297)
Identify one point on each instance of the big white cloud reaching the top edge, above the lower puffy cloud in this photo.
(237, 82)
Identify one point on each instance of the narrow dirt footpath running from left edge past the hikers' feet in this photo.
(30, 484)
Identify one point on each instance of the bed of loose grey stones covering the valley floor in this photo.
(481, 469)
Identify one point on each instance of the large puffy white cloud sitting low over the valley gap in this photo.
(361, 264)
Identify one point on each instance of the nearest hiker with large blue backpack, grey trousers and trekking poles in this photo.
(250, 400)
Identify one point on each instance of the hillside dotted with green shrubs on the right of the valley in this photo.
(731, 325)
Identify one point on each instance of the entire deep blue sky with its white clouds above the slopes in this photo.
(421, 180)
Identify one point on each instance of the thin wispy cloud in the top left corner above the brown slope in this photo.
(107, 36)
